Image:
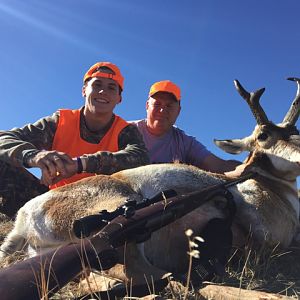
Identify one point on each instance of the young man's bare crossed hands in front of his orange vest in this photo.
(54, 166)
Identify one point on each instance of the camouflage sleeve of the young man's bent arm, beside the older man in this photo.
(132, 153)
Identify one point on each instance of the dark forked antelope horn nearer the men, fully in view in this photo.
(253, 102)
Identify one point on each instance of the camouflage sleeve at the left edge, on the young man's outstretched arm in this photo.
(17, 143)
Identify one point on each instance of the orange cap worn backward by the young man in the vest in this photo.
(95, 71)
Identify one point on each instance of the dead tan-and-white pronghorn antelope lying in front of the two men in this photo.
(267, 205)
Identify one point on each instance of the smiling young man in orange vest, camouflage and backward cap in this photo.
(72, 144)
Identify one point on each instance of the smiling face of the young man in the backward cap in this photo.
(101, 95)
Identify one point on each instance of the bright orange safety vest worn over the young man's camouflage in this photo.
(67, 139)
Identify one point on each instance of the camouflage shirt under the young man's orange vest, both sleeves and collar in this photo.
(18, 143)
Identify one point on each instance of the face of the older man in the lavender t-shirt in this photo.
(162, 112)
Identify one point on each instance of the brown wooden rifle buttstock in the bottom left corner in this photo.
(41, 276)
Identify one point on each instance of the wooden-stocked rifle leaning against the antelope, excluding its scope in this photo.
(43, 275)
